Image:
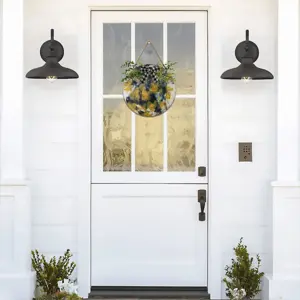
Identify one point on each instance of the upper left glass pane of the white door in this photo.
(116, 50)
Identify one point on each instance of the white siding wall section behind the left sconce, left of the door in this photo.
(51, 131)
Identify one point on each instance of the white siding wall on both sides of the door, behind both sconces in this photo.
(240, 192)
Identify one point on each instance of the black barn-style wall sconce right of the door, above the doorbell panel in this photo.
(247, 53)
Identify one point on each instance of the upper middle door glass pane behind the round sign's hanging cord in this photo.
(149, 32)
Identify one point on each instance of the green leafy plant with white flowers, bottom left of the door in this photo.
(53, 277)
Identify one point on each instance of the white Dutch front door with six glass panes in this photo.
(145, 224)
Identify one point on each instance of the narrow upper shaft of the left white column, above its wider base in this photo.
(11, 159)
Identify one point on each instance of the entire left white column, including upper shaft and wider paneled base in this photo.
(17, 281)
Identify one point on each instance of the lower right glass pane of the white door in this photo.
(181, 135)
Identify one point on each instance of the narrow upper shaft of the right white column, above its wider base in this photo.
(288, 91)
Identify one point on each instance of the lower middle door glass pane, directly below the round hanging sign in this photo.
(149, 144)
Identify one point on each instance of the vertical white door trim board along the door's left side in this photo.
(84, 155)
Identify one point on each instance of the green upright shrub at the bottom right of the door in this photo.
(242, 277)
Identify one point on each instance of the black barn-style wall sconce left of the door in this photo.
(52, 53)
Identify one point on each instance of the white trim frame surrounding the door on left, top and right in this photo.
(84, 150)
